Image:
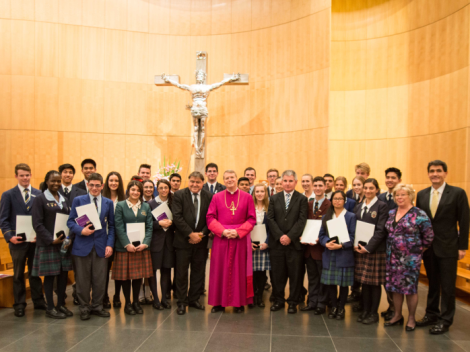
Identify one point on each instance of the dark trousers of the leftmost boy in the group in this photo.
(22, 257)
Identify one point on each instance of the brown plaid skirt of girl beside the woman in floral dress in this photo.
(370, 268)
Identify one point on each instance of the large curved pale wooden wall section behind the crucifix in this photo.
(76, 81)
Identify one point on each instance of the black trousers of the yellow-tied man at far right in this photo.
(442, 274)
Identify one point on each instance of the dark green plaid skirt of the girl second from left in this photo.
(48, 261)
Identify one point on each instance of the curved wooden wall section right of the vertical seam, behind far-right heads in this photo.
(399, 87)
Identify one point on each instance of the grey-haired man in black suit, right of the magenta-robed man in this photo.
(287, 216)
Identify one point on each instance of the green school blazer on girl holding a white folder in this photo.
(124, 215)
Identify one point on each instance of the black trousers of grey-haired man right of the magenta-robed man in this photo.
(287, 264)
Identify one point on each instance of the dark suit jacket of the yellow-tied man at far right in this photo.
(453, 210)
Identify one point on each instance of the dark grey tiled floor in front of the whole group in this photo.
(255, 330)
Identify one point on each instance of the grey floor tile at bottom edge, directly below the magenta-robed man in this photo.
(238, 343)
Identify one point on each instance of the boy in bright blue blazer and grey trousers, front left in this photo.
(92, 248)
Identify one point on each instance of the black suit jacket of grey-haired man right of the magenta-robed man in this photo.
(290, 222)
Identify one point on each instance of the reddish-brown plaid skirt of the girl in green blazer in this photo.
(132, 266)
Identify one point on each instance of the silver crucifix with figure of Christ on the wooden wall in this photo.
(199, 93)
